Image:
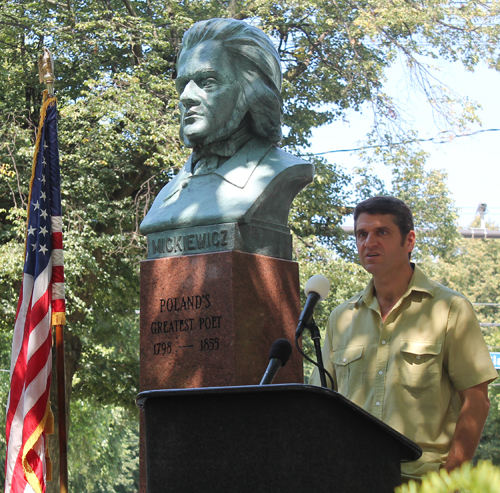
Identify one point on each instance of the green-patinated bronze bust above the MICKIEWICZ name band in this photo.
(229, 83)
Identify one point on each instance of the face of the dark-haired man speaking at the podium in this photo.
(381, 248)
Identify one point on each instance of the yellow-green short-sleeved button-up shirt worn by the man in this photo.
(407, 370)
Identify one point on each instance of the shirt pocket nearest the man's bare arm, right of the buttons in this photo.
(419, 366)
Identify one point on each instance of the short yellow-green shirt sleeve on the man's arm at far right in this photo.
(466, 356)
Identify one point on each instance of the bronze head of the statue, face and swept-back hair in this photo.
(228, 71)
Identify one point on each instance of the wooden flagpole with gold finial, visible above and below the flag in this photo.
(46, 76)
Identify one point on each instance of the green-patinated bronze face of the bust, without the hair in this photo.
(209, 94)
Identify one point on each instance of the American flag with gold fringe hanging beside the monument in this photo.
(41, 305)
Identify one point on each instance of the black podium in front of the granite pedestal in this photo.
(272, 438)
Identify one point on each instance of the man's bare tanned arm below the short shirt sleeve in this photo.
(475, 407)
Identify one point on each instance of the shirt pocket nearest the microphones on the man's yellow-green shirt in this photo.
(348, 364)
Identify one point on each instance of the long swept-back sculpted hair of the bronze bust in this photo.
(257, 64)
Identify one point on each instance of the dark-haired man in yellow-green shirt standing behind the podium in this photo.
(407, 349)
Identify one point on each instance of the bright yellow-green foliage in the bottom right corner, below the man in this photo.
(484, 478)
